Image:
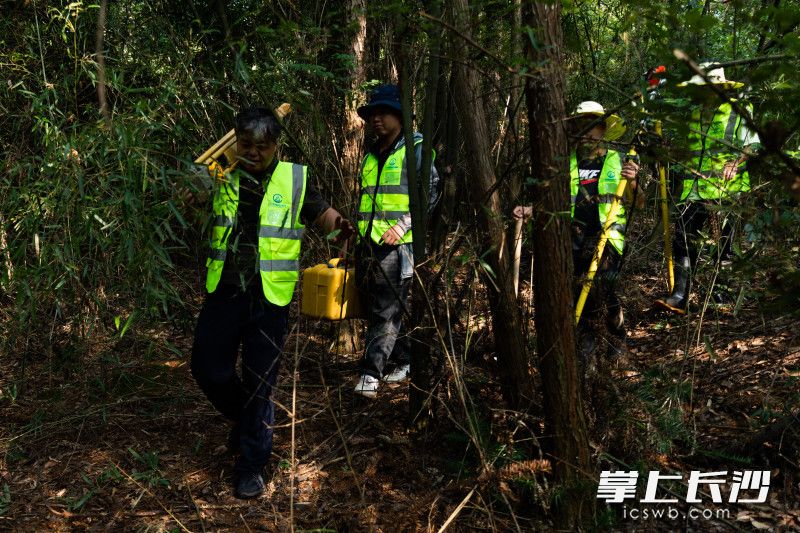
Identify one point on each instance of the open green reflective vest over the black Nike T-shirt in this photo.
(606, 189)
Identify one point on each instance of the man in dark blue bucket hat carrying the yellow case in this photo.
(385, 262)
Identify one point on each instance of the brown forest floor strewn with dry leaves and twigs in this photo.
(116, 436)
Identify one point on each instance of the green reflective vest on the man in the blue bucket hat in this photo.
(387, 196)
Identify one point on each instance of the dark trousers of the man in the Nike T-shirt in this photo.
(602, 299)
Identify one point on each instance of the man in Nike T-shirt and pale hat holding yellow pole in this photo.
(595, 172)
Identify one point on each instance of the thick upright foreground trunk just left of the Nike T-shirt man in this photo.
(568, 442)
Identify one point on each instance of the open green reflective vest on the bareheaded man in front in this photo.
(279, 232)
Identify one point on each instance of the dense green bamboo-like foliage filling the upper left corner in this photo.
(98, 218)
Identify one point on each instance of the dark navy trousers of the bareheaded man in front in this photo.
(230, 318)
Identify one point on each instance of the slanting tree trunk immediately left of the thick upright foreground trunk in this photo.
(509, 342)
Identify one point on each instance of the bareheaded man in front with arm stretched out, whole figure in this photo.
(259, 213)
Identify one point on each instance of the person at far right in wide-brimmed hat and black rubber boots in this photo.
(714, 175)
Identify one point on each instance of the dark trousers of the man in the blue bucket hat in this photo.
(383, 294)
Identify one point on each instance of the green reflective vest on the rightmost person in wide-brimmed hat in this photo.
(712, 145)
